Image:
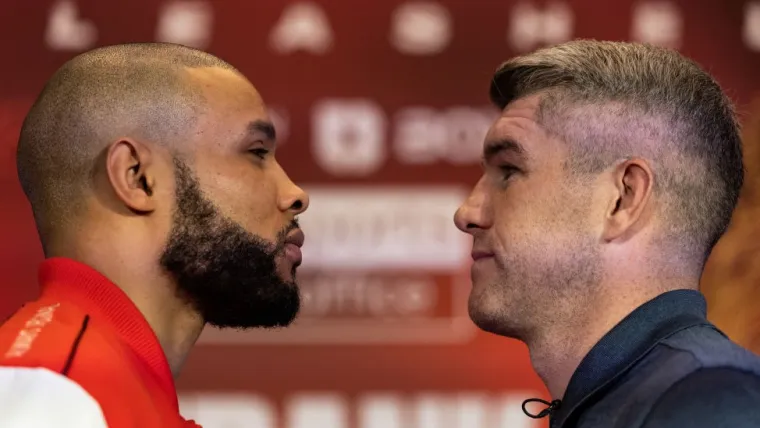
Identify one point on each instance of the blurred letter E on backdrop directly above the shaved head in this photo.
(188, 23)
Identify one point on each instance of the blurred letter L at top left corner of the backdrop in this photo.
(66, 31)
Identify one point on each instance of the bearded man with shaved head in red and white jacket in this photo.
(160, 207)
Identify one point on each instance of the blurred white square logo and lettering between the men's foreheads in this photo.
(356, 137)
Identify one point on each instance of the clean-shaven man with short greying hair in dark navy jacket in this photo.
(608, 178)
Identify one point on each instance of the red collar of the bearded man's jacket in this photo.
(89, 288)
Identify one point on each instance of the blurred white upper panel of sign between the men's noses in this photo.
(383, 227)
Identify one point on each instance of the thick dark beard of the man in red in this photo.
(228, 274)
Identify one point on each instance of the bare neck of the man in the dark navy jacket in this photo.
(557, 351)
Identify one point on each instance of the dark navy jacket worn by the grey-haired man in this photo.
(663, 366)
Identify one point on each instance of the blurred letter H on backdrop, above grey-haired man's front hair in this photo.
(530, 26)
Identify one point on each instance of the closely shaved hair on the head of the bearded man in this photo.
(137, 90)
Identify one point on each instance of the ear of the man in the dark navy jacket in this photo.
(628, 210)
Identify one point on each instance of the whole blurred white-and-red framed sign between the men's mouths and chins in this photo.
(381, 265)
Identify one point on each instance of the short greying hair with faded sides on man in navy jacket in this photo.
(613, 100)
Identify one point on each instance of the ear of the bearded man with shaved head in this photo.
(129, 166)
